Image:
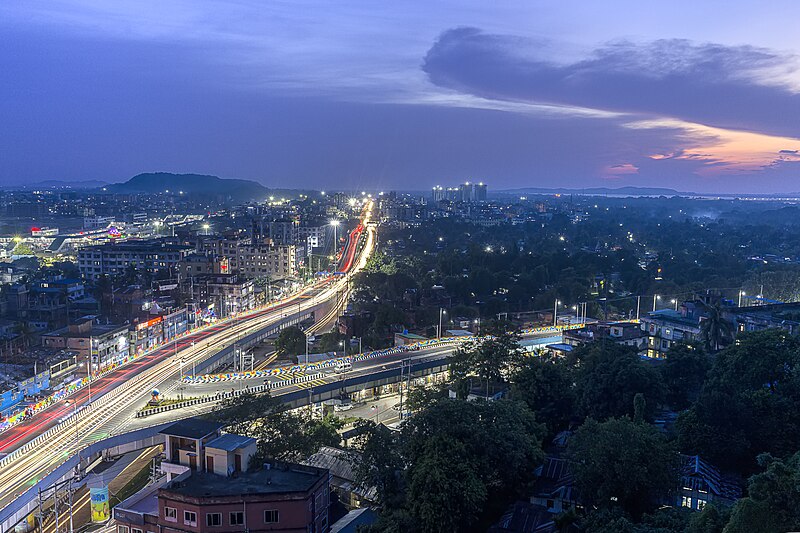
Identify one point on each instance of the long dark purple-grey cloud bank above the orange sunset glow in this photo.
(704, 83)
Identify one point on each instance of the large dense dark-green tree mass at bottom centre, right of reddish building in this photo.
(448, 460)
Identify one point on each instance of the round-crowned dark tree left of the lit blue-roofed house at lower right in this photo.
(621, 463)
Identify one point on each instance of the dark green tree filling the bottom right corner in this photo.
(773, 502)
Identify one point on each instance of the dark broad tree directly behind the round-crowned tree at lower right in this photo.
(609, 376)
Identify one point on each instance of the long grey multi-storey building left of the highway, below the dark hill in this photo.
(155, 257)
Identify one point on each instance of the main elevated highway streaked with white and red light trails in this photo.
(117, 396)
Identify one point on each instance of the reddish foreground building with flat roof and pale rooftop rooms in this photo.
(211, 486)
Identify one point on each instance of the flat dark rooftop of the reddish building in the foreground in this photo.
(275, 480)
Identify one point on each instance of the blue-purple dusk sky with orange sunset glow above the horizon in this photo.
(694, 96)
